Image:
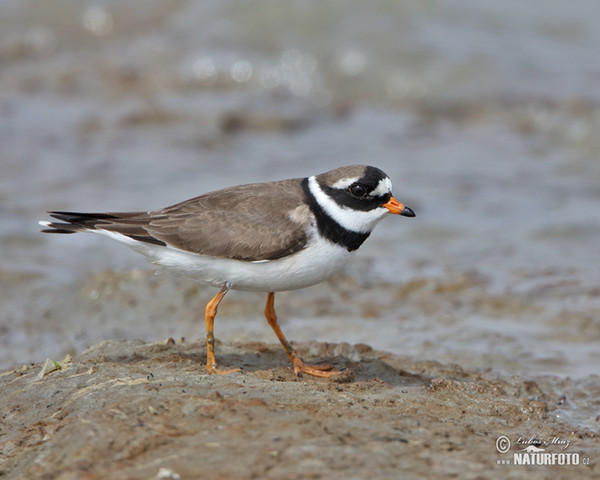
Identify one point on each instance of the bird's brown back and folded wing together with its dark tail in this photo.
(248, 222)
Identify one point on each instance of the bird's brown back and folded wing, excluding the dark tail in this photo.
(248, 222)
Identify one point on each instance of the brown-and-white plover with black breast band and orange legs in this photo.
(264, 237)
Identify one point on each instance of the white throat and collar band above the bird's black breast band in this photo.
(354, 220)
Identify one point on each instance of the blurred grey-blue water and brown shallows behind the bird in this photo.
(486, 115)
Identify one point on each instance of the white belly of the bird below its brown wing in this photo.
(312, 265)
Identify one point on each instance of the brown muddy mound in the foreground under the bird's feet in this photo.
(137, 410)
